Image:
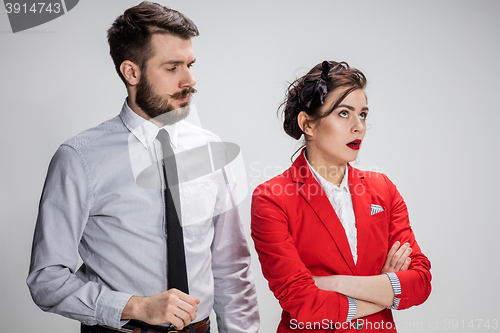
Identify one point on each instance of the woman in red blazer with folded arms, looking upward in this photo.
(335, 242)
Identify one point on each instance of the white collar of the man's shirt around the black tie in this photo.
(144, 130)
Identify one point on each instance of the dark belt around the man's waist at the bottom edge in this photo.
(136, 326)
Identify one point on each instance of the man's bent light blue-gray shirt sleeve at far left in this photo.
(63, 213)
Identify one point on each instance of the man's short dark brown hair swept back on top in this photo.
(129, 37)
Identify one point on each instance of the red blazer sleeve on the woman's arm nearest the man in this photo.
(289, 278)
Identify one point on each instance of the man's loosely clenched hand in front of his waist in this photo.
(172, 306)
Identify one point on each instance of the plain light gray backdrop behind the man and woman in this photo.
(433, 69)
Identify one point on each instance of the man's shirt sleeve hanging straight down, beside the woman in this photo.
(235, 296)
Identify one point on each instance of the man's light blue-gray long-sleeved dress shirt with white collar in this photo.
(92, 207)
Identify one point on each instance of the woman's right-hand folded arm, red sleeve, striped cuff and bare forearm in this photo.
(410, 267)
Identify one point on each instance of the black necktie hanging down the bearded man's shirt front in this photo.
(177, 274)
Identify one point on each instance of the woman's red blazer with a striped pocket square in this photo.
(297, 235)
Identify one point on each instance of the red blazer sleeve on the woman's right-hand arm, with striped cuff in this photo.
(415, 283)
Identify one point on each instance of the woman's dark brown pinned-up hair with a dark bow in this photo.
(308, 92)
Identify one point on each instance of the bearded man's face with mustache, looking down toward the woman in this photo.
(167, 82)
